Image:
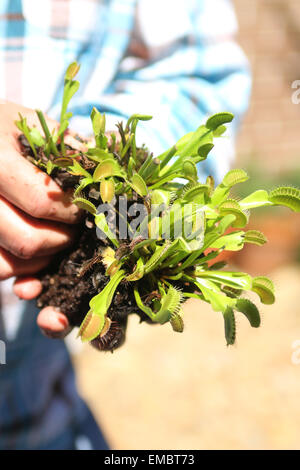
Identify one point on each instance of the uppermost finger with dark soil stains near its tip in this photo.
(32, 190)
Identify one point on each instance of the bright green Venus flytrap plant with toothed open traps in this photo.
(162, 268)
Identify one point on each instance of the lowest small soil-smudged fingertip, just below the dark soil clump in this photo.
(53, 323)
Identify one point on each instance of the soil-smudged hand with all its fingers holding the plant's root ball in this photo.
(36, 217)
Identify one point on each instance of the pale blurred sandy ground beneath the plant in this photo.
(164, 390)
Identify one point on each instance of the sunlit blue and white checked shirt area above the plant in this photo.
(174, 59)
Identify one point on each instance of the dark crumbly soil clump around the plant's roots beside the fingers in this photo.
(65, 287)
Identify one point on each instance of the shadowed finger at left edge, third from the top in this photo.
(10, 266)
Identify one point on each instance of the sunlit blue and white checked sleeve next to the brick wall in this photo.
(182, 65)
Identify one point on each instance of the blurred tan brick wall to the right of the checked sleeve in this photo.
(270, 36)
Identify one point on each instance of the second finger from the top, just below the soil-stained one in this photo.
(26, 237)
